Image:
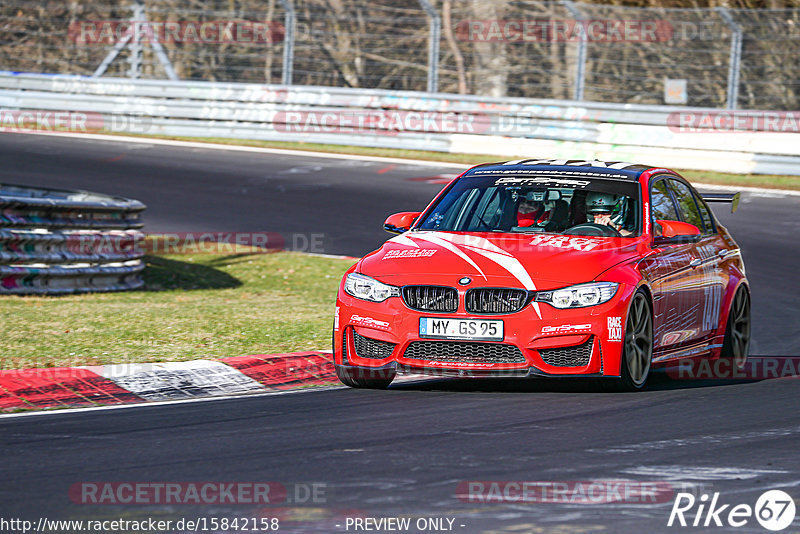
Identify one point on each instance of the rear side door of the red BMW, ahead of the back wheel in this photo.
(706, 275)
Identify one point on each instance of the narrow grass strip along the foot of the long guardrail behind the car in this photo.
(770, 181)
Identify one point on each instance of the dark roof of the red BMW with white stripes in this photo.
(618, 170)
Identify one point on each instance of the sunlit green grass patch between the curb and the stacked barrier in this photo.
(201, 306)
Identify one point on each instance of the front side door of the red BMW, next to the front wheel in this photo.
(675, 308)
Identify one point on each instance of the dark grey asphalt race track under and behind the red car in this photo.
(406, 450)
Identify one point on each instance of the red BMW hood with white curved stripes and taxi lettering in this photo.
(532, 261)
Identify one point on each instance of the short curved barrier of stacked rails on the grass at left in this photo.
(56, 242)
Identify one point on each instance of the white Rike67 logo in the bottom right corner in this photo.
(774, 510)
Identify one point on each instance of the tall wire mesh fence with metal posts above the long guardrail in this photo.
(723, 58)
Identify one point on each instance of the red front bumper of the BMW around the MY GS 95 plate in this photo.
(385, 337)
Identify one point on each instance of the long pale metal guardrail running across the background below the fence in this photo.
(689, 138)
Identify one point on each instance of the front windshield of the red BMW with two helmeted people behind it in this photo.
(579, 206)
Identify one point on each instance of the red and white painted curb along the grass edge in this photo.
(135, 383)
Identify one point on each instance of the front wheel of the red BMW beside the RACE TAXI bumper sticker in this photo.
(637, 352)
